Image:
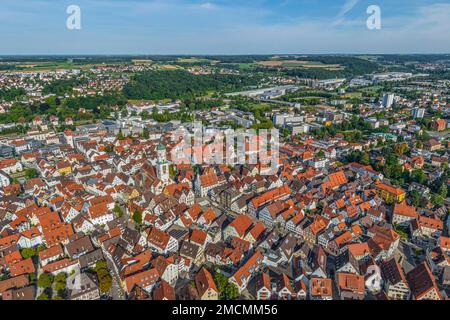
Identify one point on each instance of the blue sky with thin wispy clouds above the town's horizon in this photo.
(223, 27)
